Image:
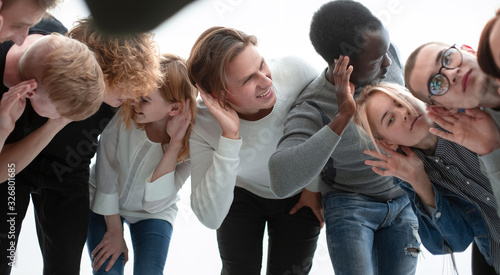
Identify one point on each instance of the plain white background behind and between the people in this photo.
(282, 29)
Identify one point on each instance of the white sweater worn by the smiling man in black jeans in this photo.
(219, 164)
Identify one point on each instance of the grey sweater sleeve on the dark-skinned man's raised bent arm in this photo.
(302, 152)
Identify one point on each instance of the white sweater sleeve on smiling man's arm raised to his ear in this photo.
(213, 178)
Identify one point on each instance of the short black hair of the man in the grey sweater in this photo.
(338, 28)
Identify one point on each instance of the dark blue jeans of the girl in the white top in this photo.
(150, 241)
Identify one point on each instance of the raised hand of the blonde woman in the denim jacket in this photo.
(408, 168)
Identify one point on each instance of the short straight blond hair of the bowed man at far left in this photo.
(69, 73)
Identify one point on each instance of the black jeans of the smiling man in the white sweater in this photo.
(292, 238)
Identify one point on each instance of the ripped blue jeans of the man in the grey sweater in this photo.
(368, 237)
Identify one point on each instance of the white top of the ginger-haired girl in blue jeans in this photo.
(120, 181)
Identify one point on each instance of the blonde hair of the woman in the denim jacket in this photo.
(399, 93)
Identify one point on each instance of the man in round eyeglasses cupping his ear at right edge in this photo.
(448, 79)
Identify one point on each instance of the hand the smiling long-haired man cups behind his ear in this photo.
(227, 117)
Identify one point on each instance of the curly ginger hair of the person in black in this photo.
(130, 63)
